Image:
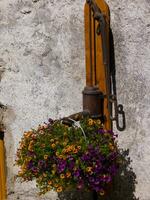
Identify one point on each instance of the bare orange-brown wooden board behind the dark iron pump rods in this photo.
(100, 68)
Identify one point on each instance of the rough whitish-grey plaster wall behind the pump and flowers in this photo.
(42, 74)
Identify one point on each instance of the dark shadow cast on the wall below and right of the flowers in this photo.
(123, 185)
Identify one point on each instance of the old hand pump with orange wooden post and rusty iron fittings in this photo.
(99, 95)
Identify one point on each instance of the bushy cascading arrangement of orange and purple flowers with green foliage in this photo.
(61, 157)
